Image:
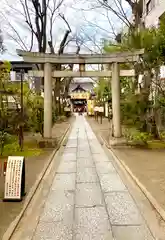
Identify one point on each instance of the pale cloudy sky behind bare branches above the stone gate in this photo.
(87, 22)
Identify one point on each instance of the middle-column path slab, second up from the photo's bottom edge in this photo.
(88, 195)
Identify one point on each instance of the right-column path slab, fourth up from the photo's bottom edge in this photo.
(105, 167)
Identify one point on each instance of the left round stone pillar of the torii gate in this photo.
(47, 100)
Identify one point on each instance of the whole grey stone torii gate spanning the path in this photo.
(111, 59)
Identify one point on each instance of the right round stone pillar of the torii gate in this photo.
(116, 100)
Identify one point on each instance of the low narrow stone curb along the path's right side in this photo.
(148, 195)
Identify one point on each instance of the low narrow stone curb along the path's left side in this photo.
(8, 234)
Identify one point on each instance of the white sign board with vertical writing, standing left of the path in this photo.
(14, 179)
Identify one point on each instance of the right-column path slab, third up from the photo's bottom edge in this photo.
(111, 182)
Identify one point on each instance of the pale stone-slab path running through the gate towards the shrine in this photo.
(88, 200)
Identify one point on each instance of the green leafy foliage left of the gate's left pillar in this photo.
(10, 114)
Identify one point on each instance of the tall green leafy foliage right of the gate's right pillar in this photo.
(138, 110)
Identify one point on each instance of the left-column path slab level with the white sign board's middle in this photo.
(64, 182)
